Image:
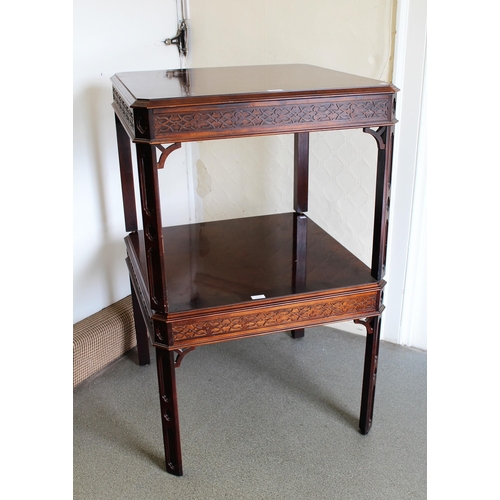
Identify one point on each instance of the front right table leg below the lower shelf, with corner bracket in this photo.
(370, 373)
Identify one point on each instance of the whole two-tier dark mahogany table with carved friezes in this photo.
(211, 282)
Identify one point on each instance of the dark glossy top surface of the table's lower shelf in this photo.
(227, 262)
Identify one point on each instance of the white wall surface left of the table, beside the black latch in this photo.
(112, 36)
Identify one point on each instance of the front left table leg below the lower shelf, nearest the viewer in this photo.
(169, 414)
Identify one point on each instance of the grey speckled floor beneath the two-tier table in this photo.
(261, 418)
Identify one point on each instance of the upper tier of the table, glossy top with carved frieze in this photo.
(214, 103)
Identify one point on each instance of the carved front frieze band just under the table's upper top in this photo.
(262, 116)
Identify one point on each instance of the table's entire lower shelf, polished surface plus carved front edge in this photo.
(251, 276)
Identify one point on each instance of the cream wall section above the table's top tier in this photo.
(355, 36)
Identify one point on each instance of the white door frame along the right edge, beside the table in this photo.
(406, 200)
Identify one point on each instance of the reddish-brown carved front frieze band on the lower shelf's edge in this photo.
(280, 318)
